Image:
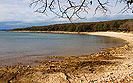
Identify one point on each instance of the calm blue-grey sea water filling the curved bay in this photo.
(15, 46)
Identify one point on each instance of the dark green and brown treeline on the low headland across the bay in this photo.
(115, 25)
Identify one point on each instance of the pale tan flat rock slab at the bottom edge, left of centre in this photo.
(40, 77)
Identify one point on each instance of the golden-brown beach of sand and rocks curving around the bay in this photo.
(117, 71)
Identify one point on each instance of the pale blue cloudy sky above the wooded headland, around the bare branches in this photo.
(17, 13)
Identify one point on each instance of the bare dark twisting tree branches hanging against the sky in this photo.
(70, 8)
